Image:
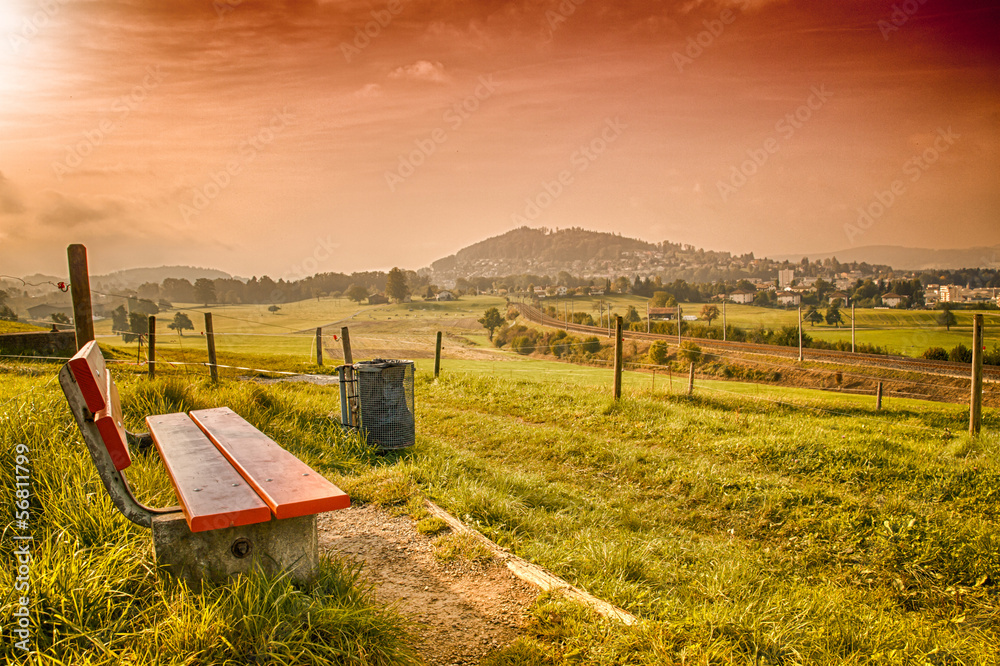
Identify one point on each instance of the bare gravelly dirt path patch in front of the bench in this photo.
(462, 610)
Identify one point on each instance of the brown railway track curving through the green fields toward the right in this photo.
(943, 368)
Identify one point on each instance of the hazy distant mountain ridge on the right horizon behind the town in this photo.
(909, 258)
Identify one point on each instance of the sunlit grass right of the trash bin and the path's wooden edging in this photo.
(740, 532)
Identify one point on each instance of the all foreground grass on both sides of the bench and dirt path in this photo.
(742, 524)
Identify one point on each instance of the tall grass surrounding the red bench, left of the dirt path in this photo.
(96, 596)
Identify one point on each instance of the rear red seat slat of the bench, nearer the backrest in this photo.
(212, 493)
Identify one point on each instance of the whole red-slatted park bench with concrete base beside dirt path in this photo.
(244, 500)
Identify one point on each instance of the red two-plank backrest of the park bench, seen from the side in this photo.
(100, 394)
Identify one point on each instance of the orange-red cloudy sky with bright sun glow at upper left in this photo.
(301, 137)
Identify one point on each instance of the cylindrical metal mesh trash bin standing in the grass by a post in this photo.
(385, 402)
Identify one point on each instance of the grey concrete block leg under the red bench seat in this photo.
(276, 546)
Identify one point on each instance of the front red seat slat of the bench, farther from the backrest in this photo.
(289, 486)
